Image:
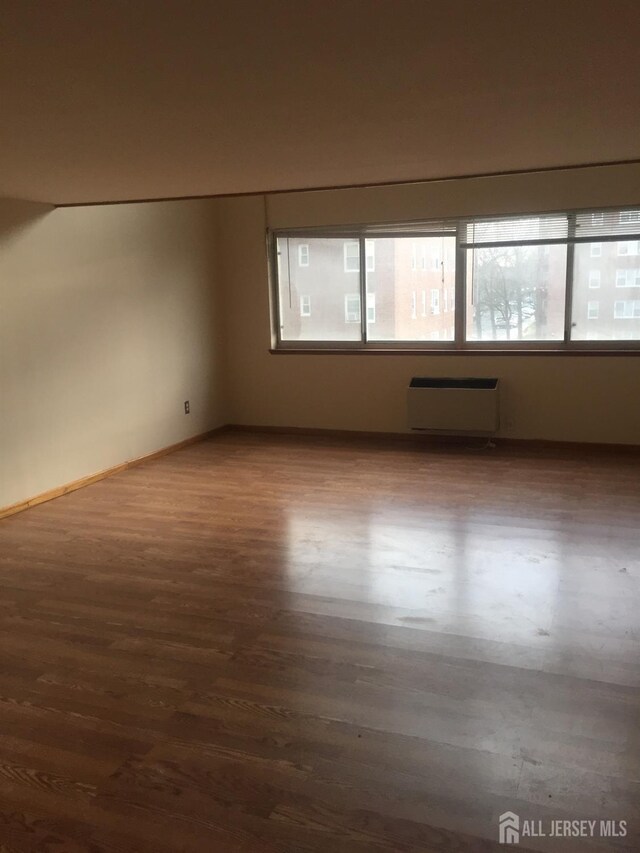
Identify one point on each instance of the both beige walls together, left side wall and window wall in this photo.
(111, 317)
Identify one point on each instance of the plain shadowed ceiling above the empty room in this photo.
(131, 99)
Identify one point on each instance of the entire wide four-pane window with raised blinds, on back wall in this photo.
(522, 282)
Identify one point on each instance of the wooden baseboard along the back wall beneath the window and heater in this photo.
(532, 445)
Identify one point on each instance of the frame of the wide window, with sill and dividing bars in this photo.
(457, 346)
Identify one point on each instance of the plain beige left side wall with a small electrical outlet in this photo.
(108, 323)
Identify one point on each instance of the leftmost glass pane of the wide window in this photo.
(319, 289)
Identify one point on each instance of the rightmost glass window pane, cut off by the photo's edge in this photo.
(606, 291)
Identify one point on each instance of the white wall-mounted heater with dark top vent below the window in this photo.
(453, 406)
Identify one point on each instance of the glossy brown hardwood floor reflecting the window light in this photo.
(267, 643)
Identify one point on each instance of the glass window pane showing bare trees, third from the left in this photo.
(516, 293)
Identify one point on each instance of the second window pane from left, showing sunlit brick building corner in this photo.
(410, 288)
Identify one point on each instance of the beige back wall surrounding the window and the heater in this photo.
(591, 399)
